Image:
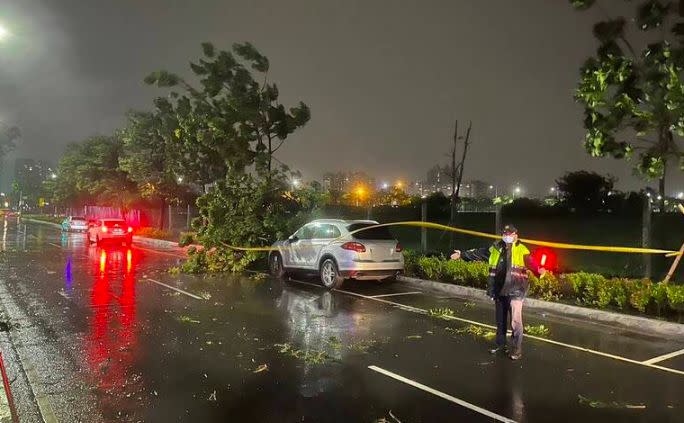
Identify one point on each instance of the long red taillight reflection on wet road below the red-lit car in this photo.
(111, 346)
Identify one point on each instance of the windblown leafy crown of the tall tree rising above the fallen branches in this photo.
(233, 120)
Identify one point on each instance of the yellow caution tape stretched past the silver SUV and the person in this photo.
(560, 245)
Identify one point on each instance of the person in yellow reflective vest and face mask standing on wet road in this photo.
(508, 284)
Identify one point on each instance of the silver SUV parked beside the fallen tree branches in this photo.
(330, 248)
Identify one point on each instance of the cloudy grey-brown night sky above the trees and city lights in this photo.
(384, 79)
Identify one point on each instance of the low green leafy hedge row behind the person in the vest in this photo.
(587, 289)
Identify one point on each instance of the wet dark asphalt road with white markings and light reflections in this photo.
(101, 336)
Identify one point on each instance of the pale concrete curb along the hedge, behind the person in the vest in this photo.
(626, 321)
